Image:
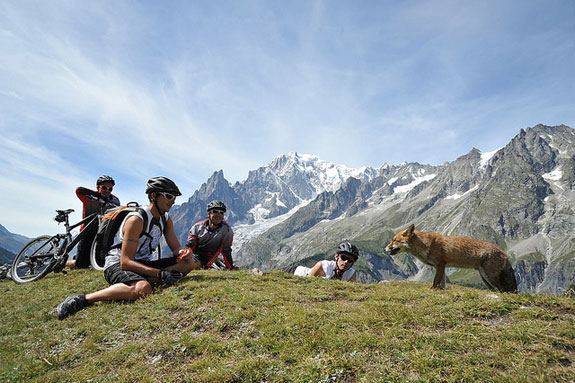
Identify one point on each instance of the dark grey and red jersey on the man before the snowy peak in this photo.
(208, 243)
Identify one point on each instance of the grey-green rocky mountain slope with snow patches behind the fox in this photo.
(519, 197)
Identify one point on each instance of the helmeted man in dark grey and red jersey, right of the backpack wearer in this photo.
(211, 237)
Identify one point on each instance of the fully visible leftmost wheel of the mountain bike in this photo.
(35, 260)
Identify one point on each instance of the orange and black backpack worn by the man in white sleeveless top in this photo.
(109, 226)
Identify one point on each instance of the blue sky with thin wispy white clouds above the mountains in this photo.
(135, 89)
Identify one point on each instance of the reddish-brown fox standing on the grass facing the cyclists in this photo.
(442, 251)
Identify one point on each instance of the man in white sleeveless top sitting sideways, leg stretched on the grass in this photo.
(129, 269)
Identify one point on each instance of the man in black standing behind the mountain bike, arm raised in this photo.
(93, 201)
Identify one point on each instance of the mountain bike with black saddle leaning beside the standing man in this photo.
(50, 253)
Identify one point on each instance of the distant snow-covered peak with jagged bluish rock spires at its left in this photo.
(268, 196)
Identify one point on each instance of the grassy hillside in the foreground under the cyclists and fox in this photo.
(239, 327)
